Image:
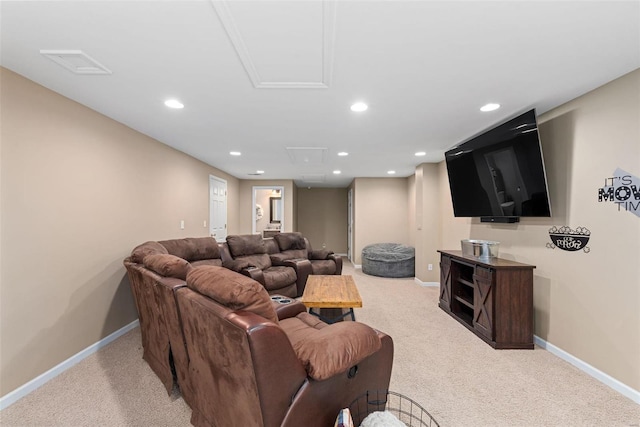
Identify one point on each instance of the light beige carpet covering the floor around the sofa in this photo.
(438, 363)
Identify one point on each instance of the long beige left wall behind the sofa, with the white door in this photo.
(79, 191)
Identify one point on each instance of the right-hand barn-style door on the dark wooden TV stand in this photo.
(483, 315)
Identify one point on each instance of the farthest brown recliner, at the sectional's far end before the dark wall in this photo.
(294, 246)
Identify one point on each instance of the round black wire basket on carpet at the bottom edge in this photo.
(403, 408)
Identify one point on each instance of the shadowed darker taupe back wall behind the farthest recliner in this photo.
(322, 217)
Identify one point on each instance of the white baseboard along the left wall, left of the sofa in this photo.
(17, 394)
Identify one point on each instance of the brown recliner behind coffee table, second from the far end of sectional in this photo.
(251, 255)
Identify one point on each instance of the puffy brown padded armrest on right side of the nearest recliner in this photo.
(329, 351)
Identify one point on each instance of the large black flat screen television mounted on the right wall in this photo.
(499, 175)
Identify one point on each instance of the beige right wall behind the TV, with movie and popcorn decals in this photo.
(587, 304)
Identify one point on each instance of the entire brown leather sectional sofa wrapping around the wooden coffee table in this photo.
(238, 355)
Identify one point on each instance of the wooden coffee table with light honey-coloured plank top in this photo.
(331, 291)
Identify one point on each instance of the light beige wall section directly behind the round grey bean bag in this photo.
(381, 212)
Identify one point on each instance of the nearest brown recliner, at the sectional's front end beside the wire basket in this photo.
(249, 368)
